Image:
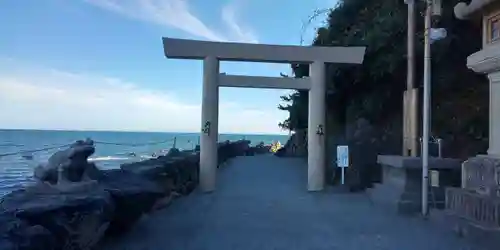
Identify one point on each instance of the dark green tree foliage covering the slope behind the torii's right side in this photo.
(374, 89)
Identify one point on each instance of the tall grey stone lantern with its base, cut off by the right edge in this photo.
(477, 203)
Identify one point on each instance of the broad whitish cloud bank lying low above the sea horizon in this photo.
(44, 98)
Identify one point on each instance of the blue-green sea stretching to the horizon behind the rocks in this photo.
(112, 149)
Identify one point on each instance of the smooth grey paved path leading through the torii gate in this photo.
(261, 203)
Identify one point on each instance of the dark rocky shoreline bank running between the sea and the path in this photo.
(41, 217)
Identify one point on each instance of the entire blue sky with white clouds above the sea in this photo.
(99, 64)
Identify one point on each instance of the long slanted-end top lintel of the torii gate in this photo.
(228, 51)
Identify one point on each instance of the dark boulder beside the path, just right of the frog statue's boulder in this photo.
(132, 196)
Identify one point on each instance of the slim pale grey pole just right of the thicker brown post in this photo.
(425, 126)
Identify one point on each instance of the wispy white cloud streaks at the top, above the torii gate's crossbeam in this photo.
(178, 14)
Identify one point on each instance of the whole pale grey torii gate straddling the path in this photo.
(213, 52)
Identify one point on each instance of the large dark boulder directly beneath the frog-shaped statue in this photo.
(77, 216)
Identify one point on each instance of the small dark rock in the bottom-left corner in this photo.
(16, 234)
